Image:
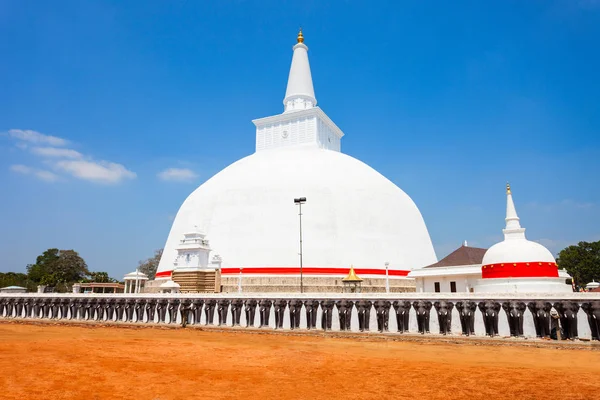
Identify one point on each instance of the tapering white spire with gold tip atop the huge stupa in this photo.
(300, 93)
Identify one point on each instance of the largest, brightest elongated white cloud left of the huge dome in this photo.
(101, 171)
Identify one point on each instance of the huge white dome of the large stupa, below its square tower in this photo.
(352, 216)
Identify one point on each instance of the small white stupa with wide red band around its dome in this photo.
(517, 265)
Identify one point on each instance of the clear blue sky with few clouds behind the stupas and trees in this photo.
(112, 112)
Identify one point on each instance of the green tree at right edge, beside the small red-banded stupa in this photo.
(582, 262)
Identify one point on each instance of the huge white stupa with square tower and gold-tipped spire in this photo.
(353, 215)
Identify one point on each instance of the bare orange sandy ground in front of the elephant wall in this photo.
(67, 362)
